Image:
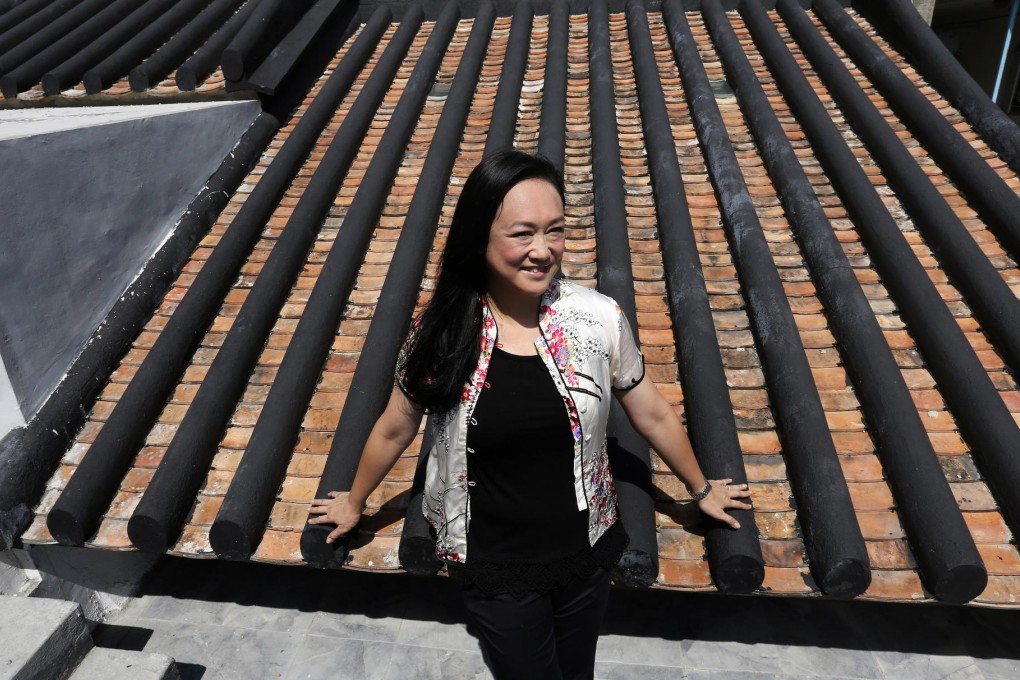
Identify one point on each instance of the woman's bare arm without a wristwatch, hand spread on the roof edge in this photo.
(394, 433)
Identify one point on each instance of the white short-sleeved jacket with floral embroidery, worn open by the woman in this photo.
(589, 349)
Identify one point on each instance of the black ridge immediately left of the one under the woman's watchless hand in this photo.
(241, 522)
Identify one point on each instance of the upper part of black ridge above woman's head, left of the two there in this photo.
(504, 121)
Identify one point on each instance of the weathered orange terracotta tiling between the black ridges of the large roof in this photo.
(683, 561)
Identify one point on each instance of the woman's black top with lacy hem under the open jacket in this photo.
(526, 532)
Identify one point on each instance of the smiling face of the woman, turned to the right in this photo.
(526, 241)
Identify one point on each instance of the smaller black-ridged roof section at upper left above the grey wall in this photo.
(129, 51)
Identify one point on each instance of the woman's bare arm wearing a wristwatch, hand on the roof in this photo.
(654, 420)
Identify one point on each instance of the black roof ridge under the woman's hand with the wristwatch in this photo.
(735, 557)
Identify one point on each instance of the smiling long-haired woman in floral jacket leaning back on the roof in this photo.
(517, 369)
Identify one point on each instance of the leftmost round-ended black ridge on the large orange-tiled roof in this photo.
(78, 512)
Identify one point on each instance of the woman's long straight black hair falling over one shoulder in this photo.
(444, 348)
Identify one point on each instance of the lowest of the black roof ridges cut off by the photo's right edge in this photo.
(985, 423)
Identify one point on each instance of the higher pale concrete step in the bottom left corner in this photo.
(40, 639)
